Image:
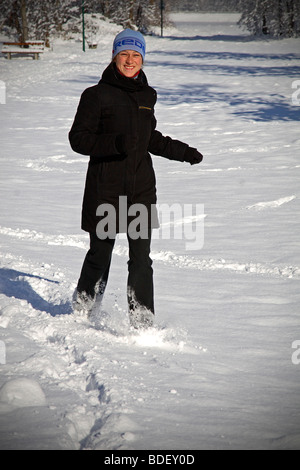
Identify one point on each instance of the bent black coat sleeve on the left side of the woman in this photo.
(85, 135)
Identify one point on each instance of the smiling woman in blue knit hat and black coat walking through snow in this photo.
(116, 127)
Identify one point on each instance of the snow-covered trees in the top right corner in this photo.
(278, 18)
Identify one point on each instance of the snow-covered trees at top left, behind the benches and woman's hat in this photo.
(51, 16)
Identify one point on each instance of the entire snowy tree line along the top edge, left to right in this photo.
(43, 18)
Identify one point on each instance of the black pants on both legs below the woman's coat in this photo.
(96, 266)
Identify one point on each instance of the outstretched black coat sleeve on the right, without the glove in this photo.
(165, 146)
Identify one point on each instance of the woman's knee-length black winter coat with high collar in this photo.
(115, 126)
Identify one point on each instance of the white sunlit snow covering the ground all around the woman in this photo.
(217, 370)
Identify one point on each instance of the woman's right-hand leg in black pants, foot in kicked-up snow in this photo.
(140, 282)
